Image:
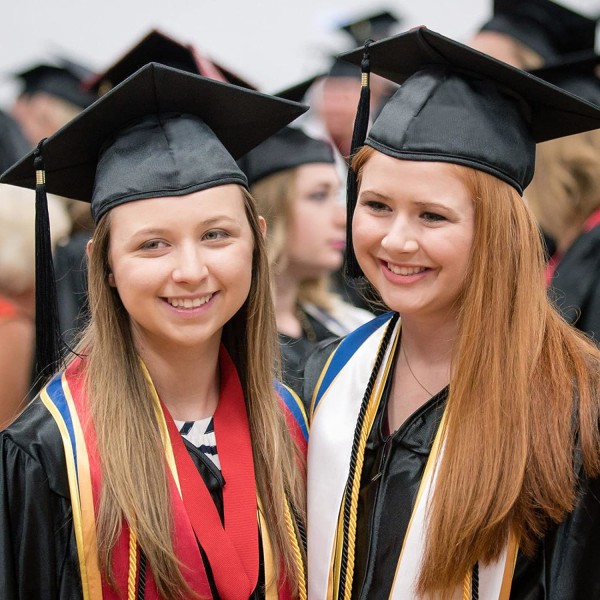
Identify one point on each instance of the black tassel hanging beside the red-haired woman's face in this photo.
(359, 134)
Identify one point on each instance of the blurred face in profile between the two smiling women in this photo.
(317, 232)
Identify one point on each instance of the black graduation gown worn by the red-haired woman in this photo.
(564, 567)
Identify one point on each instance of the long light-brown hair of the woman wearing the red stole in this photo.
(134, 484)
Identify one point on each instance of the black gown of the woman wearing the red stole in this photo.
(38, 552)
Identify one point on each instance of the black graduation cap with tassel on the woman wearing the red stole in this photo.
(161, 132)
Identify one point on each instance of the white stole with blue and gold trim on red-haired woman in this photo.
(336, 404)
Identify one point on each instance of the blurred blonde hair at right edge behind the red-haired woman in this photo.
(565, 190)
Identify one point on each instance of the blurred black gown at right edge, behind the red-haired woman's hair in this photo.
(575, 287)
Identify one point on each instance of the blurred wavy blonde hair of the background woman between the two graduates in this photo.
(275, 196)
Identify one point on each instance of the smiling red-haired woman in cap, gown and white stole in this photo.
(455, 444)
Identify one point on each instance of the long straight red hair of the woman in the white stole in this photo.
(524, 398)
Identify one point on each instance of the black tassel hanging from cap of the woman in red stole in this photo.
(47, 336)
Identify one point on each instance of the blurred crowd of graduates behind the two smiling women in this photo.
(298, 179)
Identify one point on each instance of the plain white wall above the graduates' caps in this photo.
(273, 43)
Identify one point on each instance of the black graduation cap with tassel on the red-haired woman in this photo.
(458, 105)
